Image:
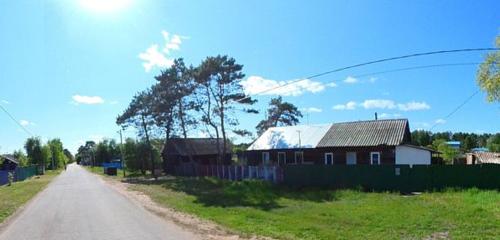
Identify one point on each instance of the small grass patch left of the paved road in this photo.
(14, 196)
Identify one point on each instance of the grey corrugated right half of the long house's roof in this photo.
(391, 132)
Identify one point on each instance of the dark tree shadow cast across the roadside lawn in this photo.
(249, 193)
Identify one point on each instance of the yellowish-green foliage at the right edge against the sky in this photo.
(488, 76)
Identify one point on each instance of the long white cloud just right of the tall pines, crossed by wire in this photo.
(256, 84)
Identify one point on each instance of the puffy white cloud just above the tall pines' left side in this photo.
(156, 57)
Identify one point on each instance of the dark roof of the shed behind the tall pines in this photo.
(194, 146)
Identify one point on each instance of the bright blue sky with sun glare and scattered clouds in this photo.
(68, 68)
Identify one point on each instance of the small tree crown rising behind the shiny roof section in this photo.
(279, 113)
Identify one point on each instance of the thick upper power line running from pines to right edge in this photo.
(372, 62)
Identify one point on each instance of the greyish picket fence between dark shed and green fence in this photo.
(231, 172)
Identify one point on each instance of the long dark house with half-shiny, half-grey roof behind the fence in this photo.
(362, 142)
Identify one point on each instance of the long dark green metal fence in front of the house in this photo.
(394, 177)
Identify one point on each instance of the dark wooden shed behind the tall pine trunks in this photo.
(198, 150)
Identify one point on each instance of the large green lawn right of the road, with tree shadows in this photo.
(254, 207)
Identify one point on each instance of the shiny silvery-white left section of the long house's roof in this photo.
(288, 137)
